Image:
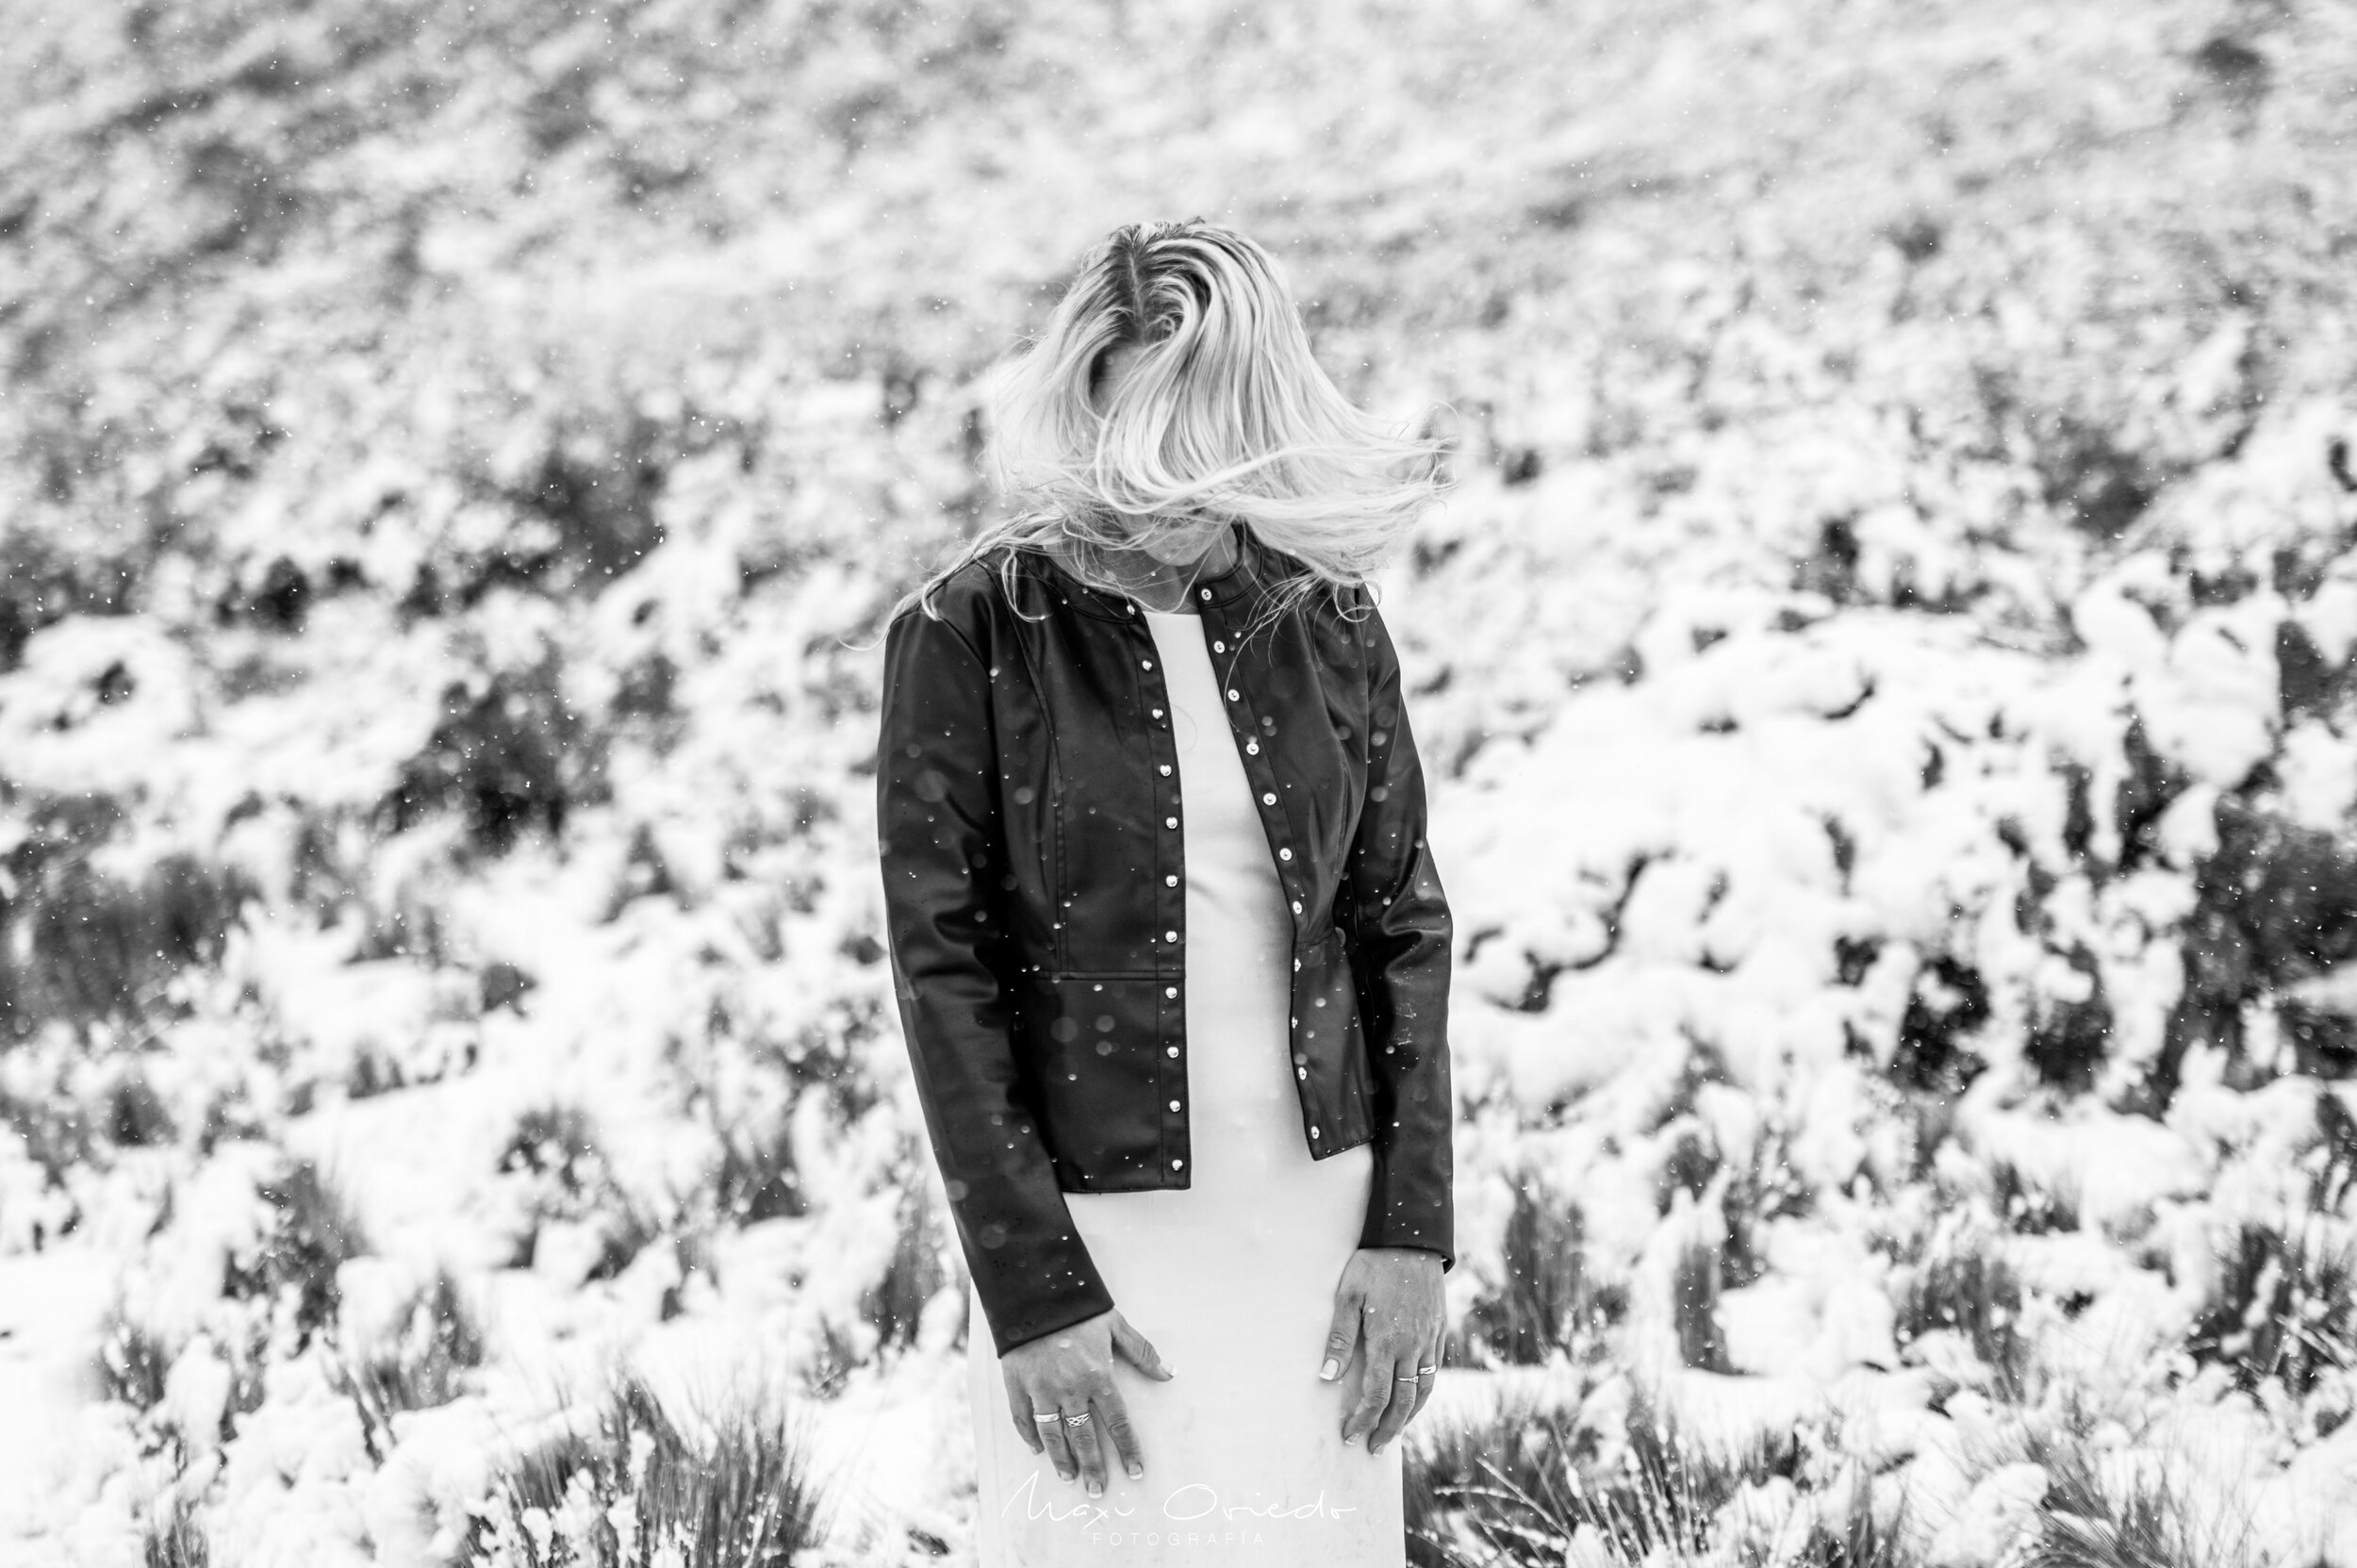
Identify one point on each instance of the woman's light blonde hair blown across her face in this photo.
(1227, 416)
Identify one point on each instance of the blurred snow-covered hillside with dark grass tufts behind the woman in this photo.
(1887, 678)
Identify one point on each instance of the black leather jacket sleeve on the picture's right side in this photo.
(1401, 956)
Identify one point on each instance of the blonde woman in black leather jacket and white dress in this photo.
(1170, 949)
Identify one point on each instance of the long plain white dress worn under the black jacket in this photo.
(1234, 1277)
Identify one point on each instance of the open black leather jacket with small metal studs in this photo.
(1036, 902)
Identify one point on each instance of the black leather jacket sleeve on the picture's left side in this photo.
(944, 862)
